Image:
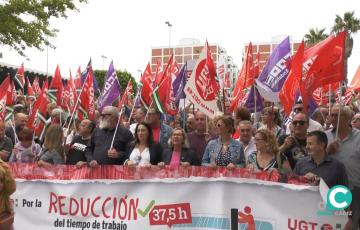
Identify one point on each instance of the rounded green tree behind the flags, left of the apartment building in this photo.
(123, 76)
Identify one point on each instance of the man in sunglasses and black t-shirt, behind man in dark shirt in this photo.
(294, 146)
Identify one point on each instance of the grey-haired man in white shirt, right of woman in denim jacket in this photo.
(246, 137)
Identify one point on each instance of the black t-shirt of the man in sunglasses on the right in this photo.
(296, 151)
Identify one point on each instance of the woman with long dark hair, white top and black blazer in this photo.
(144, 151)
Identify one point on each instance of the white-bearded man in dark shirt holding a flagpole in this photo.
(100, 151)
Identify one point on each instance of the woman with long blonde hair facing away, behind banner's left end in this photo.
(53, 149)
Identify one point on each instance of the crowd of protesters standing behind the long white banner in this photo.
(324, 145)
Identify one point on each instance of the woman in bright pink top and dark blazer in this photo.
(178, 151)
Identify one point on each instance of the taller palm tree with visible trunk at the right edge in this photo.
(351, 25)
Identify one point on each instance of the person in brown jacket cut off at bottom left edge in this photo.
(7, 187)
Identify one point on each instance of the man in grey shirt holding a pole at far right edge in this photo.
(344, 146)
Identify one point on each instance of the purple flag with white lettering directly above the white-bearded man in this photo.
(111, 90)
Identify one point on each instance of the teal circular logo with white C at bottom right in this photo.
(338, 198)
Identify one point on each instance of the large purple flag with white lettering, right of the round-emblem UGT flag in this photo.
(275, 72)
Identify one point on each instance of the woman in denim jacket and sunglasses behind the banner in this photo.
(224, 151)
